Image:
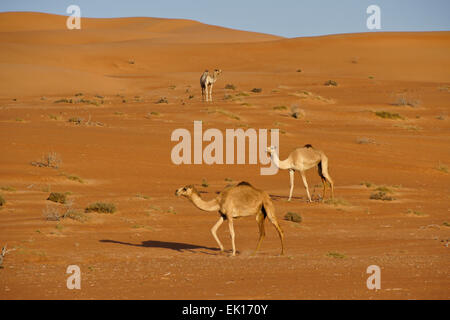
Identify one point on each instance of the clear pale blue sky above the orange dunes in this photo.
(288, 18)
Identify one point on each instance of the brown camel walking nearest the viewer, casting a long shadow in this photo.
(236, 201)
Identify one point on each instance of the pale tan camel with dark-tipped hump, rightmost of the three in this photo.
(302, 159)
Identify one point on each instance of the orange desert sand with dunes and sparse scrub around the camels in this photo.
(158, 246)
